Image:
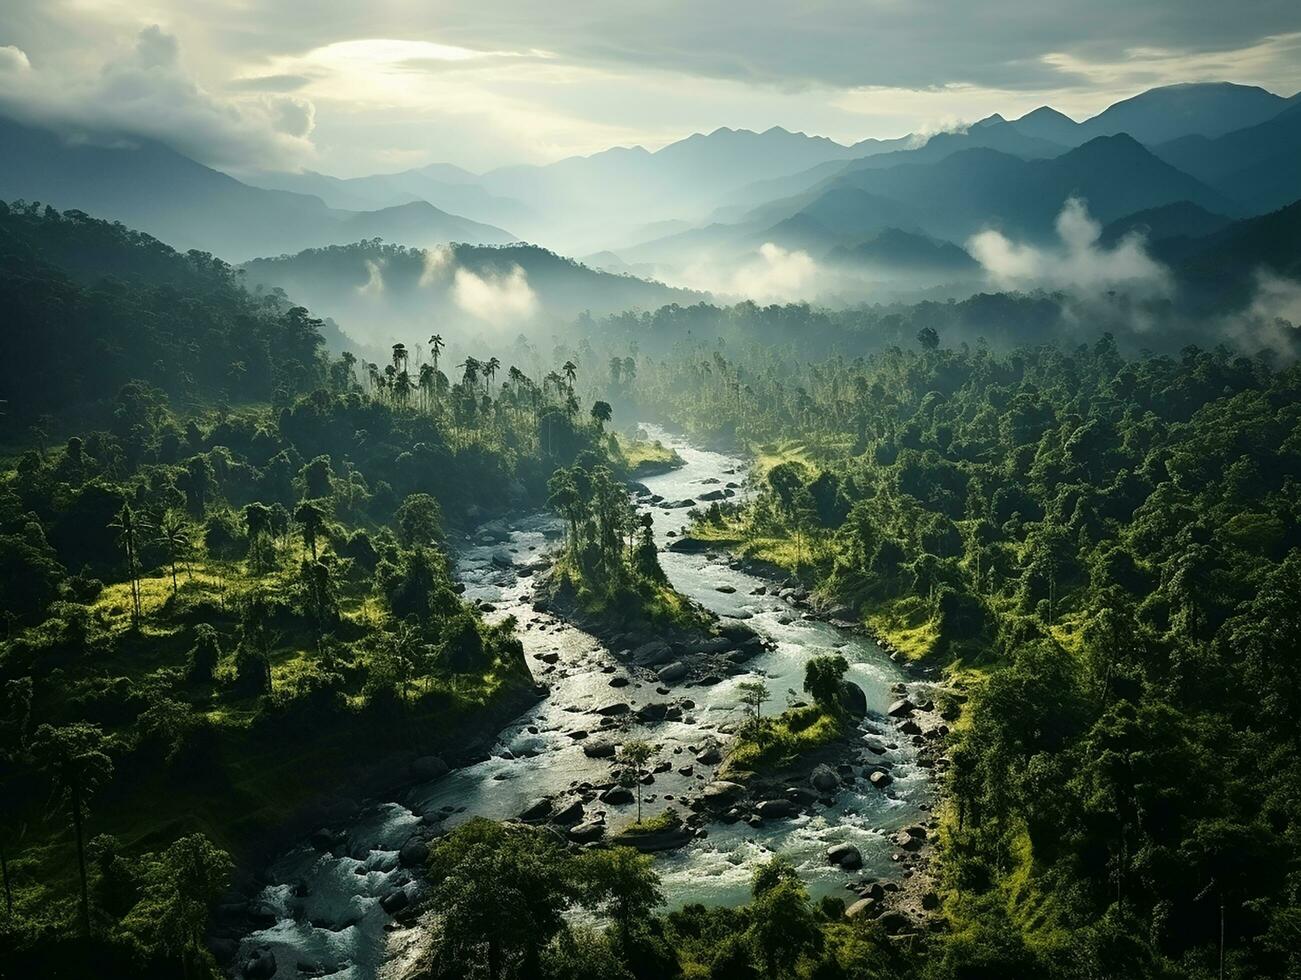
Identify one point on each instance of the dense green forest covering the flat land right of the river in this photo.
(1103, 554)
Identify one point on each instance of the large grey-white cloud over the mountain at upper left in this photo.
(148, 93)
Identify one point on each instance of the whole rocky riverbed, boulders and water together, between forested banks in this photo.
(340, 904)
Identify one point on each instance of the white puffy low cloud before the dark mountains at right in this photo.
(1078, 264)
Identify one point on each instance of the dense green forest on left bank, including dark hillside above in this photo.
(226, 576)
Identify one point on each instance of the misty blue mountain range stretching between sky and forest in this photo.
(1177, 163)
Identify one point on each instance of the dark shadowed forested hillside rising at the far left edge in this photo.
(92, 306)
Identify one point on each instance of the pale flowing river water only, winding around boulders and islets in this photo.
(327, 909)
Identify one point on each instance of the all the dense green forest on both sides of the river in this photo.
(226, 563)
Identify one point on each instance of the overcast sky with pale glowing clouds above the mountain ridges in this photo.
(351, 88)
